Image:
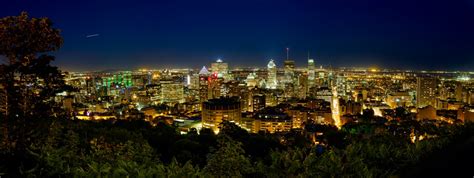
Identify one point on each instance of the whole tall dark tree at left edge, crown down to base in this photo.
(29, 80)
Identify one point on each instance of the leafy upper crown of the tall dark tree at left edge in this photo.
(27, 76)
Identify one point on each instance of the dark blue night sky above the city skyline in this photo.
(409, 34)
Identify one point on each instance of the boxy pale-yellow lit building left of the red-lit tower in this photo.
(172, 92)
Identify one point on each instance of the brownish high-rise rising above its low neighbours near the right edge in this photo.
(425, 91)
